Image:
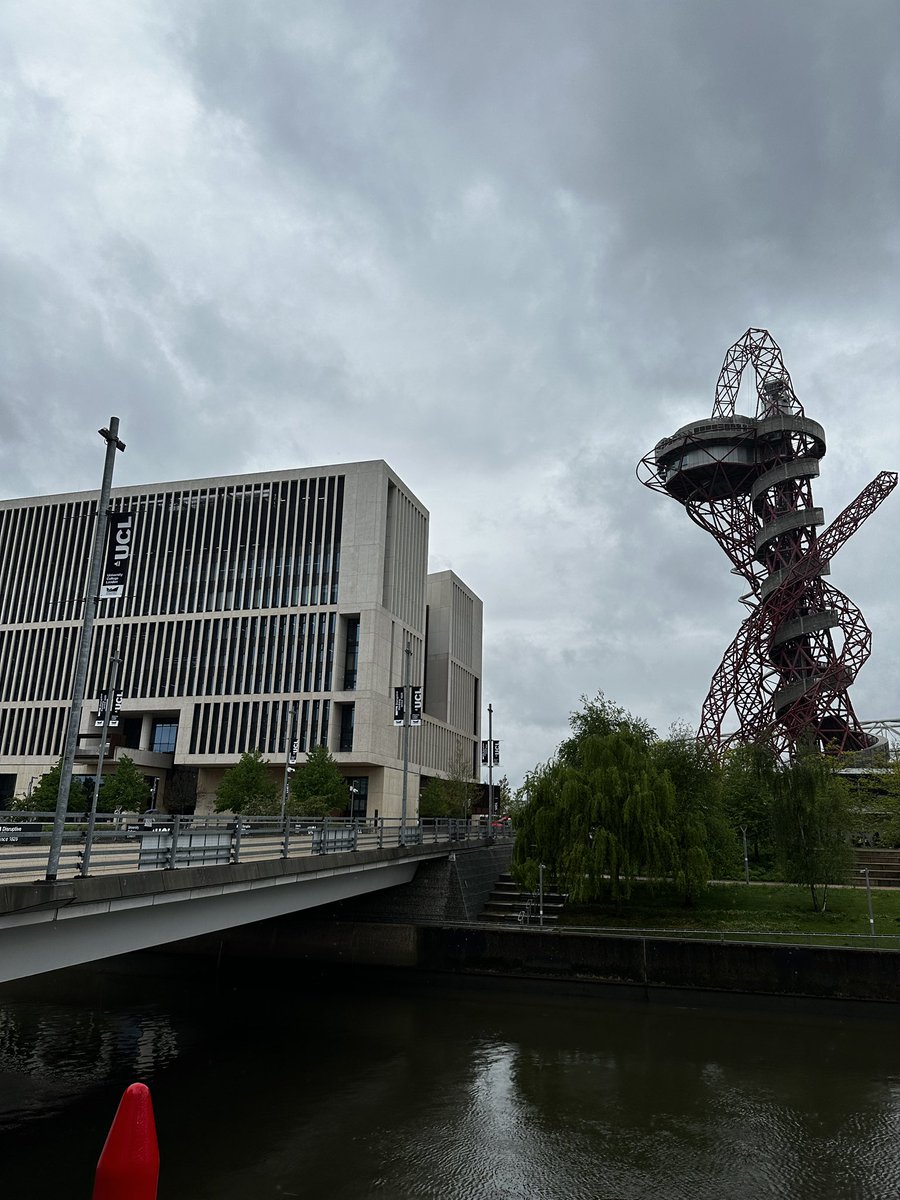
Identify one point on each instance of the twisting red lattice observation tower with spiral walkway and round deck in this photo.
(748, 482)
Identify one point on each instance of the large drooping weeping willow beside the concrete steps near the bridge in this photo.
(605, 811)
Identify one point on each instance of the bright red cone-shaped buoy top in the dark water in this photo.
(129, 1168)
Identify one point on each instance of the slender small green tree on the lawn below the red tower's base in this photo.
(812, 820)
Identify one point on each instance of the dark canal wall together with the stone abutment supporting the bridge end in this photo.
(430, 926)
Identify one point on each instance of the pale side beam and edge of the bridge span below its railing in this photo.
(49, 927)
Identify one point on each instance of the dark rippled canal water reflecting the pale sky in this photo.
(361, 1087)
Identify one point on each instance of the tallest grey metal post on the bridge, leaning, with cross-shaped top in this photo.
(111, 437)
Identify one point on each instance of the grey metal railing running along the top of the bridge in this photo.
(121, 844)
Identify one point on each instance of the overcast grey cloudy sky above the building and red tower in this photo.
(501, 244)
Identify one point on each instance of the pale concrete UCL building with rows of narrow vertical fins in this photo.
(247, 598)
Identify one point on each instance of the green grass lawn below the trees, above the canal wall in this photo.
(769, 911)
